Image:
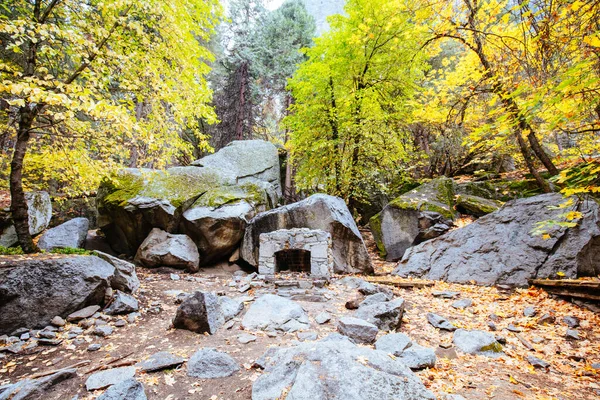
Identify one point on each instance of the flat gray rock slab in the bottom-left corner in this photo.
(33, 389)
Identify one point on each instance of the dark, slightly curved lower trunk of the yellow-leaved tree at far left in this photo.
(18, 205)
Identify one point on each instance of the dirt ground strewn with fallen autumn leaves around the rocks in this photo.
(475, 377)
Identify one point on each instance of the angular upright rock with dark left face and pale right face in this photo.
(200, 313)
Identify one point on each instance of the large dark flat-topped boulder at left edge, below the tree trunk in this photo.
(34, 291)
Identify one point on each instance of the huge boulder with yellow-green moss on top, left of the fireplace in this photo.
(210, 201)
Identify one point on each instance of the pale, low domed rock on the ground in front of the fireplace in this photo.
(270, 312)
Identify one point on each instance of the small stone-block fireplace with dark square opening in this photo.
(295, 250)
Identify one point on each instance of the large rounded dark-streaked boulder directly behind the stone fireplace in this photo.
(319, 211)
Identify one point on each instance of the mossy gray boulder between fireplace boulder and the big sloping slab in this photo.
(421, 214)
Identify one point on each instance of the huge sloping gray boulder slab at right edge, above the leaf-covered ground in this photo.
(501, 249)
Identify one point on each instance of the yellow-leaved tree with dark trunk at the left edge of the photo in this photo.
(72, 78)
